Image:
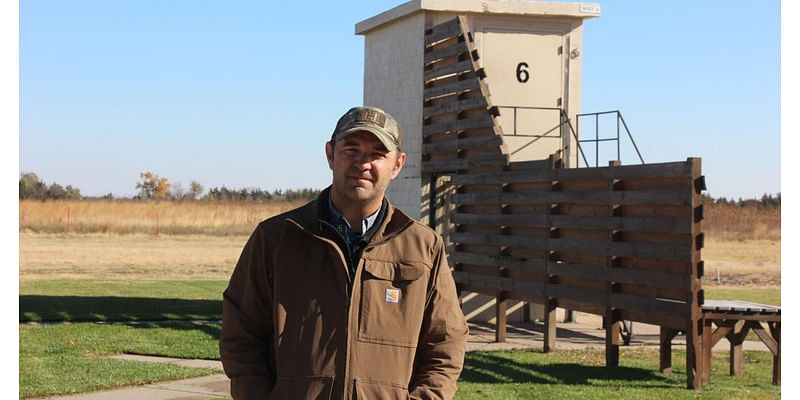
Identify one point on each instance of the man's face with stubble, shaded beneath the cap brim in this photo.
(362, 167)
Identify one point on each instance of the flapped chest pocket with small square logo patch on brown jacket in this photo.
(392, 302)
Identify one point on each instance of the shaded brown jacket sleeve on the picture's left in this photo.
(246, 340)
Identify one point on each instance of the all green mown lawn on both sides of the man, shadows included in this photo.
(67, 358)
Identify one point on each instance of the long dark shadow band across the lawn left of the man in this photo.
(37, 308)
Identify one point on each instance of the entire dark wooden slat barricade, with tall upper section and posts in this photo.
(619, 241)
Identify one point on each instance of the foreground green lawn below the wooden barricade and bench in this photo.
(581, 374)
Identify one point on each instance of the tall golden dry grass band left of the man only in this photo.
(145, 217)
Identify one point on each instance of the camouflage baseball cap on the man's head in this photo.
(372, 120)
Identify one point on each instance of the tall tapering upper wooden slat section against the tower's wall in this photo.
(459, 130)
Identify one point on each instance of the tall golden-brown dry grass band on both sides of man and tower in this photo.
(723, 222)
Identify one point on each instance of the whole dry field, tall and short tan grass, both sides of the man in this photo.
(202, 240)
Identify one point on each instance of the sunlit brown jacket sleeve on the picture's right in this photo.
(443, 340)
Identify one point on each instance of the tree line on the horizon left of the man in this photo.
(154, 187)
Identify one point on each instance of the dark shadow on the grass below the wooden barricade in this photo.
(489, 368)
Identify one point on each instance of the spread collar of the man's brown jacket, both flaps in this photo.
(311, 216)
